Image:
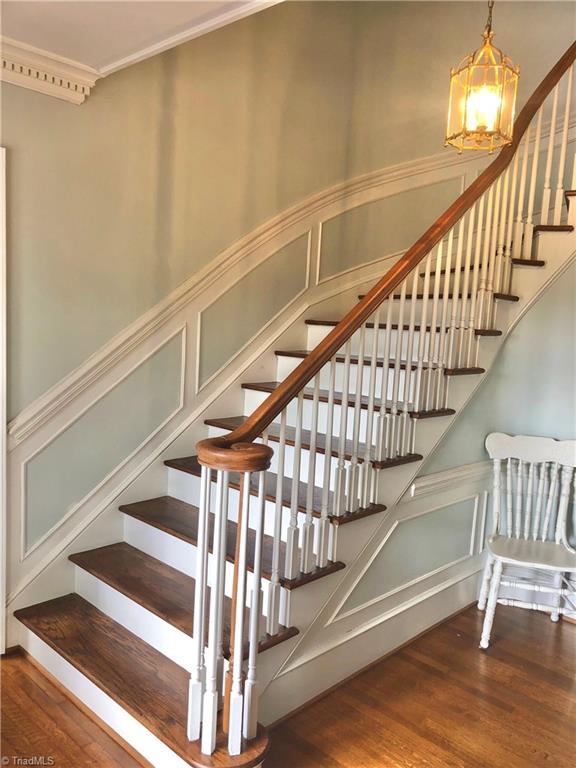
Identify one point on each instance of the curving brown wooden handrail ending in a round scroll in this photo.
(236, 451)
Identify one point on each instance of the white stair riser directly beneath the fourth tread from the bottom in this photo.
(187, 488)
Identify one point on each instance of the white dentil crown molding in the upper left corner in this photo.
(45, 72)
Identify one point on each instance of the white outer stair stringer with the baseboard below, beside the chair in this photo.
(319, 657)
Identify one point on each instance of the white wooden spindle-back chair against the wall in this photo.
(530, 519)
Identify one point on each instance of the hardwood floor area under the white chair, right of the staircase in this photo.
(442, 703)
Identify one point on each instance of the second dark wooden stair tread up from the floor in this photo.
(161, 589)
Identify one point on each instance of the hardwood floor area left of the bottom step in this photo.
(39, 720)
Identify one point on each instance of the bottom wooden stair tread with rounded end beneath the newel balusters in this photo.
(151, 687)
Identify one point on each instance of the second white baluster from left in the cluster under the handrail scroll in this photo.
(212, 688)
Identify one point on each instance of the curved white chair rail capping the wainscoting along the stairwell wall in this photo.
(300, 217)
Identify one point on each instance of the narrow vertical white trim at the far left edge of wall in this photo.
(3, 412)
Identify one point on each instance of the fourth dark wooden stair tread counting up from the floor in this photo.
(191, 465)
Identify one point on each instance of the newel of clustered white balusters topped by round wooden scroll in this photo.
(209, 687)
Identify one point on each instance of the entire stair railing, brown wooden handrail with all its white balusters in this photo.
(380, 370)
